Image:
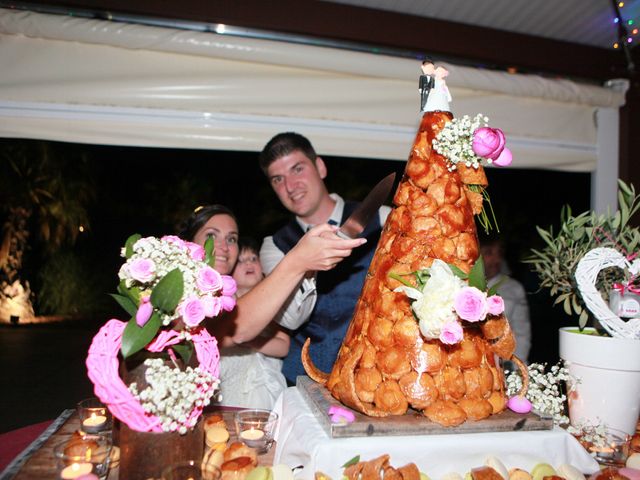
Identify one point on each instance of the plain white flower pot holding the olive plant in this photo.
(608, 371)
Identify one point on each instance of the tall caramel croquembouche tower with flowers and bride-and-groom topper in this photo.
(407, 347)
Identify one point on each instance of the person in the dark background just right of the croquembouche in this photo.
(511, 291)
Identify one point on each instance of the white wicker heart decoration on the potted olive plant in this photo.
(586, 276)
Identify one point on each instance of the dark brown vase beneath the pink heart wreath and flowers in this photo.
(144, 455)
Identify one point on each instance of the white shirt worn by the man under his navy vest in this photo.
(300, 305)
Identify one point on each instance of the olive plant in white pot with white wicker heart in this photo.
(590, 266)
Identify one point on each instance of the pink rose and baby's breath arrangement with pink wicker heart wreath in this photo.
(168, 287)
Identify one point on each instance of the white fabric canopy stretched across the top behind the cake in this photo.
(92, 81)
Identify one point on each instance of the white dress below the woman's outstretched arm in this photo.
(249, 379)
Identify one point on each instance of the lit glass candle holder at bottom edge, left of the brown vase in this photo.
(85, 457)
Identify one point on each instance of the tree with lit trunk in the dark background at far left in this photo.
(43, 200)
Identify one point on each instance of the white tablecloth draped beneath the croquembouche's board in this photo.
(301, 440)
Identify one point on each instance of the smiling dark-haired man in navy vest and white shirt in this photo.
(320, 307)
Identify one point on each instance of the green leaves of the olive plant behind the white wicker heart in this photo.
(557, 261)
